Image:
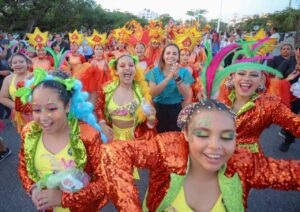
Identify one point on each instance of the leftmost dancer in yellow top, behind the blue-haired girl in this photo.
(22, 113)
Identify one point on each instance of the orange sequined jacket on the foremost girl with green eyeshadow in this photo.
(167, 154)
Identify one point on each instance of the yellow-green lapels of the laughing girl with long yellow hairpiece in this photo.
(109, 92)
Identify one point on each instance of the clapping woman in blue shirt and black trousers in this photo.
(169, 86)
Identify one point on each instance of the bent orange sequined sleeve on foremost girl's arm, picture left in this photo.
(117, 161)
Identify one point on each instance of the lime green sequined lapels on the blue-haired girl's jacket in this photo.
(31, 140)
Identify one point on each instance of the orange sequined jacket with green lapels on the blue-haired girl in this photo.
(92, 196)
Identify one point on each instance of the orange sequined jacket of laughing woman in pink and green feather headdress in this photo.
(258, 114)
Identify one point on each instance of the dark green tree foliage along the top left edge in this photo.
(60, 15)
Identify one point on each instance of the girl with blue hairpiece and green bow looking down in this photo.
(57, 141)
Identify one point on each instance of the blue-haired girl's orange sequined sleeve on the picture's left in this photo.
(22, 171)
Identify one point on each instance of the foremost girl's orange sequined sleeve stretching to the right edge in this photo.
(265, 173)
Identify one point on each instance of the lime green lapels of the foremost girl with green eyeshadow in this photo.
(231, 189)
